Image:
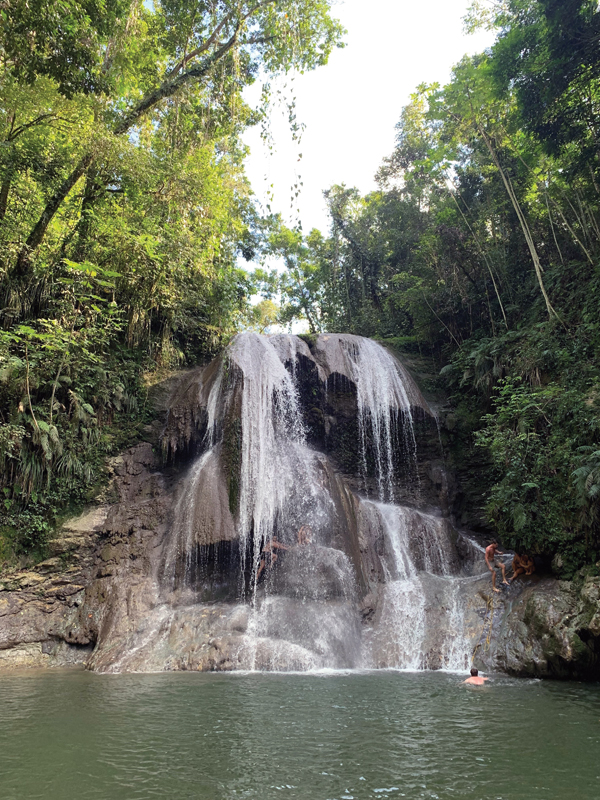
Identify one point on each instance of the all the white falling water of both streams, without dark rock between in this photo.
(302, 614)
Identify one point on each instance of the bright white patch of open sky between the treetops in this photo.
(350, 106)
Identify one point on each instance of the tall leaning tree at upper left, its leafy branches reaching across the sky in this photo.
(196, 48)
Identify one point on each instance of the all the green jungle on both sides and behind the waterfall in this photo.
(124, 210)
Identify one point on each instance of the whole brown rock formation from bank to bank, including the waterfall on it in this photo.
(276, 434)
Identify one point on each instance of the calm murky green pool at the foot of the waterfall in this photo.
(74, 735)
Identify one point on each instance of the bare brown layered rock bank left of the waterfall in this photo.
(56, 613)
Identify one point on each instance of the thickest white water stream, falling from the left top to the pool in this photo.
(279, 493)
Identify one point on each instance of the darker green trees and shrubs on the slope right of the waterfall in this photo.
(481, 247)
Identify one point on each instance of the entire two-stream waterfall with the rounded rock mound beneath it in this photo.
(271, 551)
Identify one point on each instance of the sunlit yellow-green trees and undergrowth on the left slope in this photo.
(123, 210)
